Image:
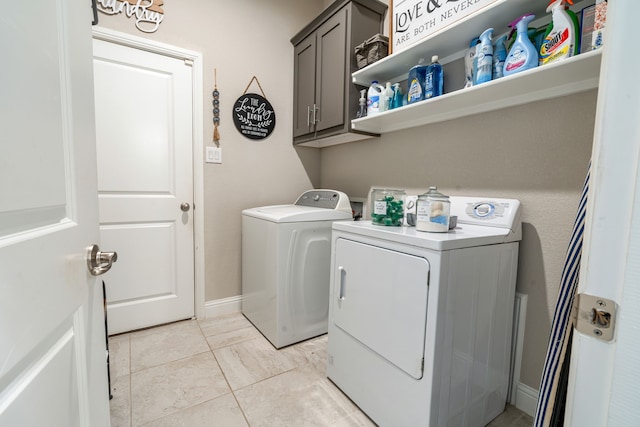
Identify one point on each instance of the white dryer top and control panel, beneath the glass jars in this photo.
(481, 221)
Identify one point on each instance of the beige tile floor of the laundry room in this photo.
(223, 372)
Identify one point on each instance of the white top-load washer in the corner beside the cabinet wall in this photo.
(286, 264)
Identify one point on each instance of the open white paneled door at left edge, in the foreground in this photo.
(52, 339)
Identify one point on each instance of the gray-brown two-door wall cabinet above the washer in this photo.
(325, 100)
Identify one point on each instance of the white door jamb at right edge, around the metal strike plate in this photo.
(604, 376)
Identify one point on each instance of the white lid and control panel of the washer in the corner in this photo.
(312, 205)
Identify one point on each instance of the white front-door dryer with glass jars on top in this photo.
(420, 324)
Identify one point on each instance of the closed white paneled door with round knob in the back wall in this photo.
(145, 183)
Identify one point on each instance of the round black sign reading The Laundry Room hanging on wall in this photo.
(254, 116)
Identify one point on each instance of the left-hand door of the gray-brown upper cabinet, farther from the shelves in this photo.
(304, 77)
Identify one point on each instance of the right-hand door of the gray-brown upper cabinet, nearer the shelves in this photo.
(331, 67)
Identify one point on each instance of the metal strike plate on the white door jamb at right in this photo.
(594, 316)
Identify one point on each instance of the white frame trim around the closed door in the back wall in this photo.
(195, 58)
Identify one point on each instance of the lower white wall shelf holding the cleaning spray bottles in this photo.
(573, 75)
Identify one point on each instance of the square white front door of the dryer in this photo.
(382, 301)
